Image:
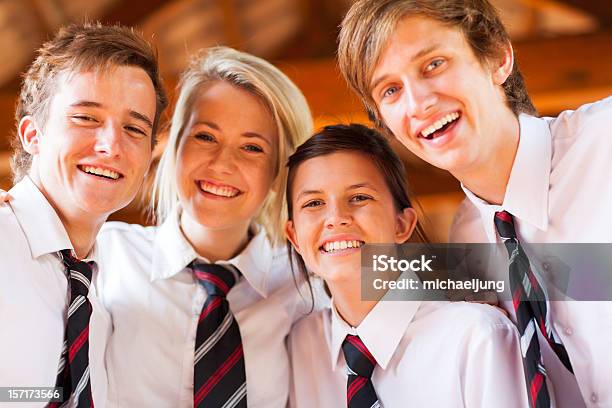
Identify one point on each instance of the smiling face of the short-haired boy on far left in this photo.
(90, 157)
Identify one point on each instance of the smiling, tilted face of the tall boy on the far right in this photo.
(438, 99)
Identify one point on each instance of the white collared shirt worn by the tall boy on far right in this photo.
(560, 191)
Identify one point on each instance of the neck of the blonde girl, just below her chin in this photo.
(214, 244)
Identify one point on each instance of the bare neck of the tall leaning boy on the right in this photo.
(489, 178)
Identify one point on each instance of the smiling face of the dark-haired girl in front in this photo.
(341, 201)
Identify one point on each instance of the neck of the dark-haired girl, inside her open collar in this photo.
(348, 303)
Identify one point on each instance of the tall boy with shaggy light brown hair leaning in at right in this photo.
(440, 76)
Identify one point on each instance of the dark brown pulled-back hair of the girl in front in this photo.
(352, 138)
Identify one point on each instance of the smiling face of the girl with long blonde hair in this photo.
(226, 159)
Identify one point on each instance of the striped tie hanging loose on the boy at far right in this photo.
(530, 306)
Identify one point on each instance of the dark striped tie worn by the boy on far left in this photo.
(73, 372)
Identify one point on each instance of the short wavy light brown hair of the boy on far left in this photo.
(78, 48)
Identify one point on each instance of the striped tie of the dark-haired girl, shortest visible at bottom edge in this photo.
(360, 364)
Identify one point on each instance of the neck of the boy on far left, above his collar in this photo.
(81, 227)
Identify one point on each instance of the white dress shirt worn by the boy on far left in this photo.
(34, 297)
